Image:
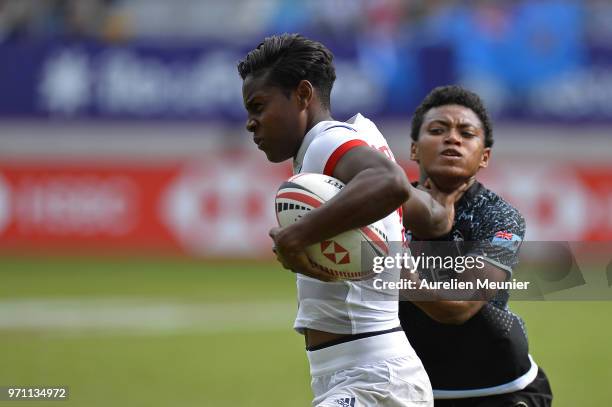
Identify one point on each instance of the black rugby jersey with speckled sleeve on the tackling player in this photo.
(488, 354)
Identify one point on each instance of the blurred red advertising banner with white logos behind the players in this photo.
(222, 204)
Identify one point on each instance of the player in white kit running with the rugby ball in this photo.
(357, 352)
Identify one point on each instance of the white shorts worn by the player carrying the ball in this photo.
(382, 371)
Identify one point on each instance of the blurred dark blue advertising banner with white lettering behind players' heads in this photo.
(200, 82)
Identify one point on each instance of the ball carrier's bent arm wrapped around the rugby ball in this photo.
(375, 187)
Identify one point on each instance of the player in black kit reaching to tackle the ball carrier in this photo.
(474, 351)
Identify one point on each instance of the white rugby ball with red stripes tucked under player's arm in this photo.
(347, 256)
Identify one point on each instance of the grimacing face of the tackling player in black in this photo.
(450, 144)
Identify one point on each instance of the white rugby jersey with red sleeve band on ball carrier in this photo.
(339, 307)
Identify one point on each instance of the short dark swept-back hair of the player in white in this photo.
(290, 58)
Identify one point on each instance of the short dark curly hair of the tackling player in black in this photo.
(452, 95)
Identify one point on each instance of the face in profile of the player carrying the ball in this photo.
(277, 120)
